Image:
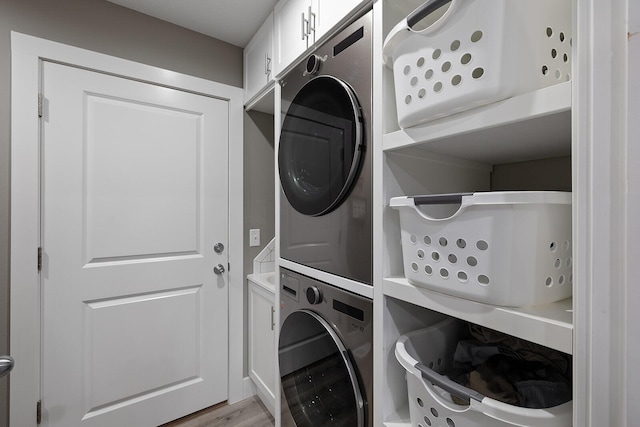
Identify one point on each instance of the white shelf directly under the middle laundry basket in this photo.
(550, 325)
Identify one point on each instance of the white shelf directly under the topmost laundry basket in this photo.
(535, 125)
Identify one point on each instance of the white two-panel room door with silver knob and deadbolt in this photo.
(134, 198)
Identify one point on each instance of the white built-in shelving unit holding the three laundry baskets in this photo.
(454, 154)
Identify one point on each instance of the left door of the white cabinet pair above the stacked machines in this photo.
(291, 31)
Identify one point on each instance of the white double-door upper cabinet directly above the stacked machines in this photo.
(299, 24)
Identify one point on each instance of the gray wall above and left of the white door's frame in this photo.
(107, 28)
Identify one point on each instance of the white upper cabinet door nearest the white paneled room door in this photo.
(258, 60)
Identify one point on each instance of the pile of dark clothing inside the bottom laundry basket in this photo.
(512, 370)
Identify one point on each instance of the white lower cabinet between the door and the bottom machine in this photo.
(262, 363)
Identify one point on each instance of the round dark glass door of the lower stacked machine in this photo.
(319, 380)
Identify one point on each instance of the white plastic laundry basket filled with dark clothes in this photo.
(426, 354)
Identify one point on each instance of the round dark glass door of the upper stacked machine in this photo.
(321, 146)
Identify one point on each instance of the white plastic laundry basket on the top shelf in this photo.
(476, 53)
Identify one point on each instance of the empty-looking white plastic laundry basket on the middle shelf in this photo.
(503, 248)
